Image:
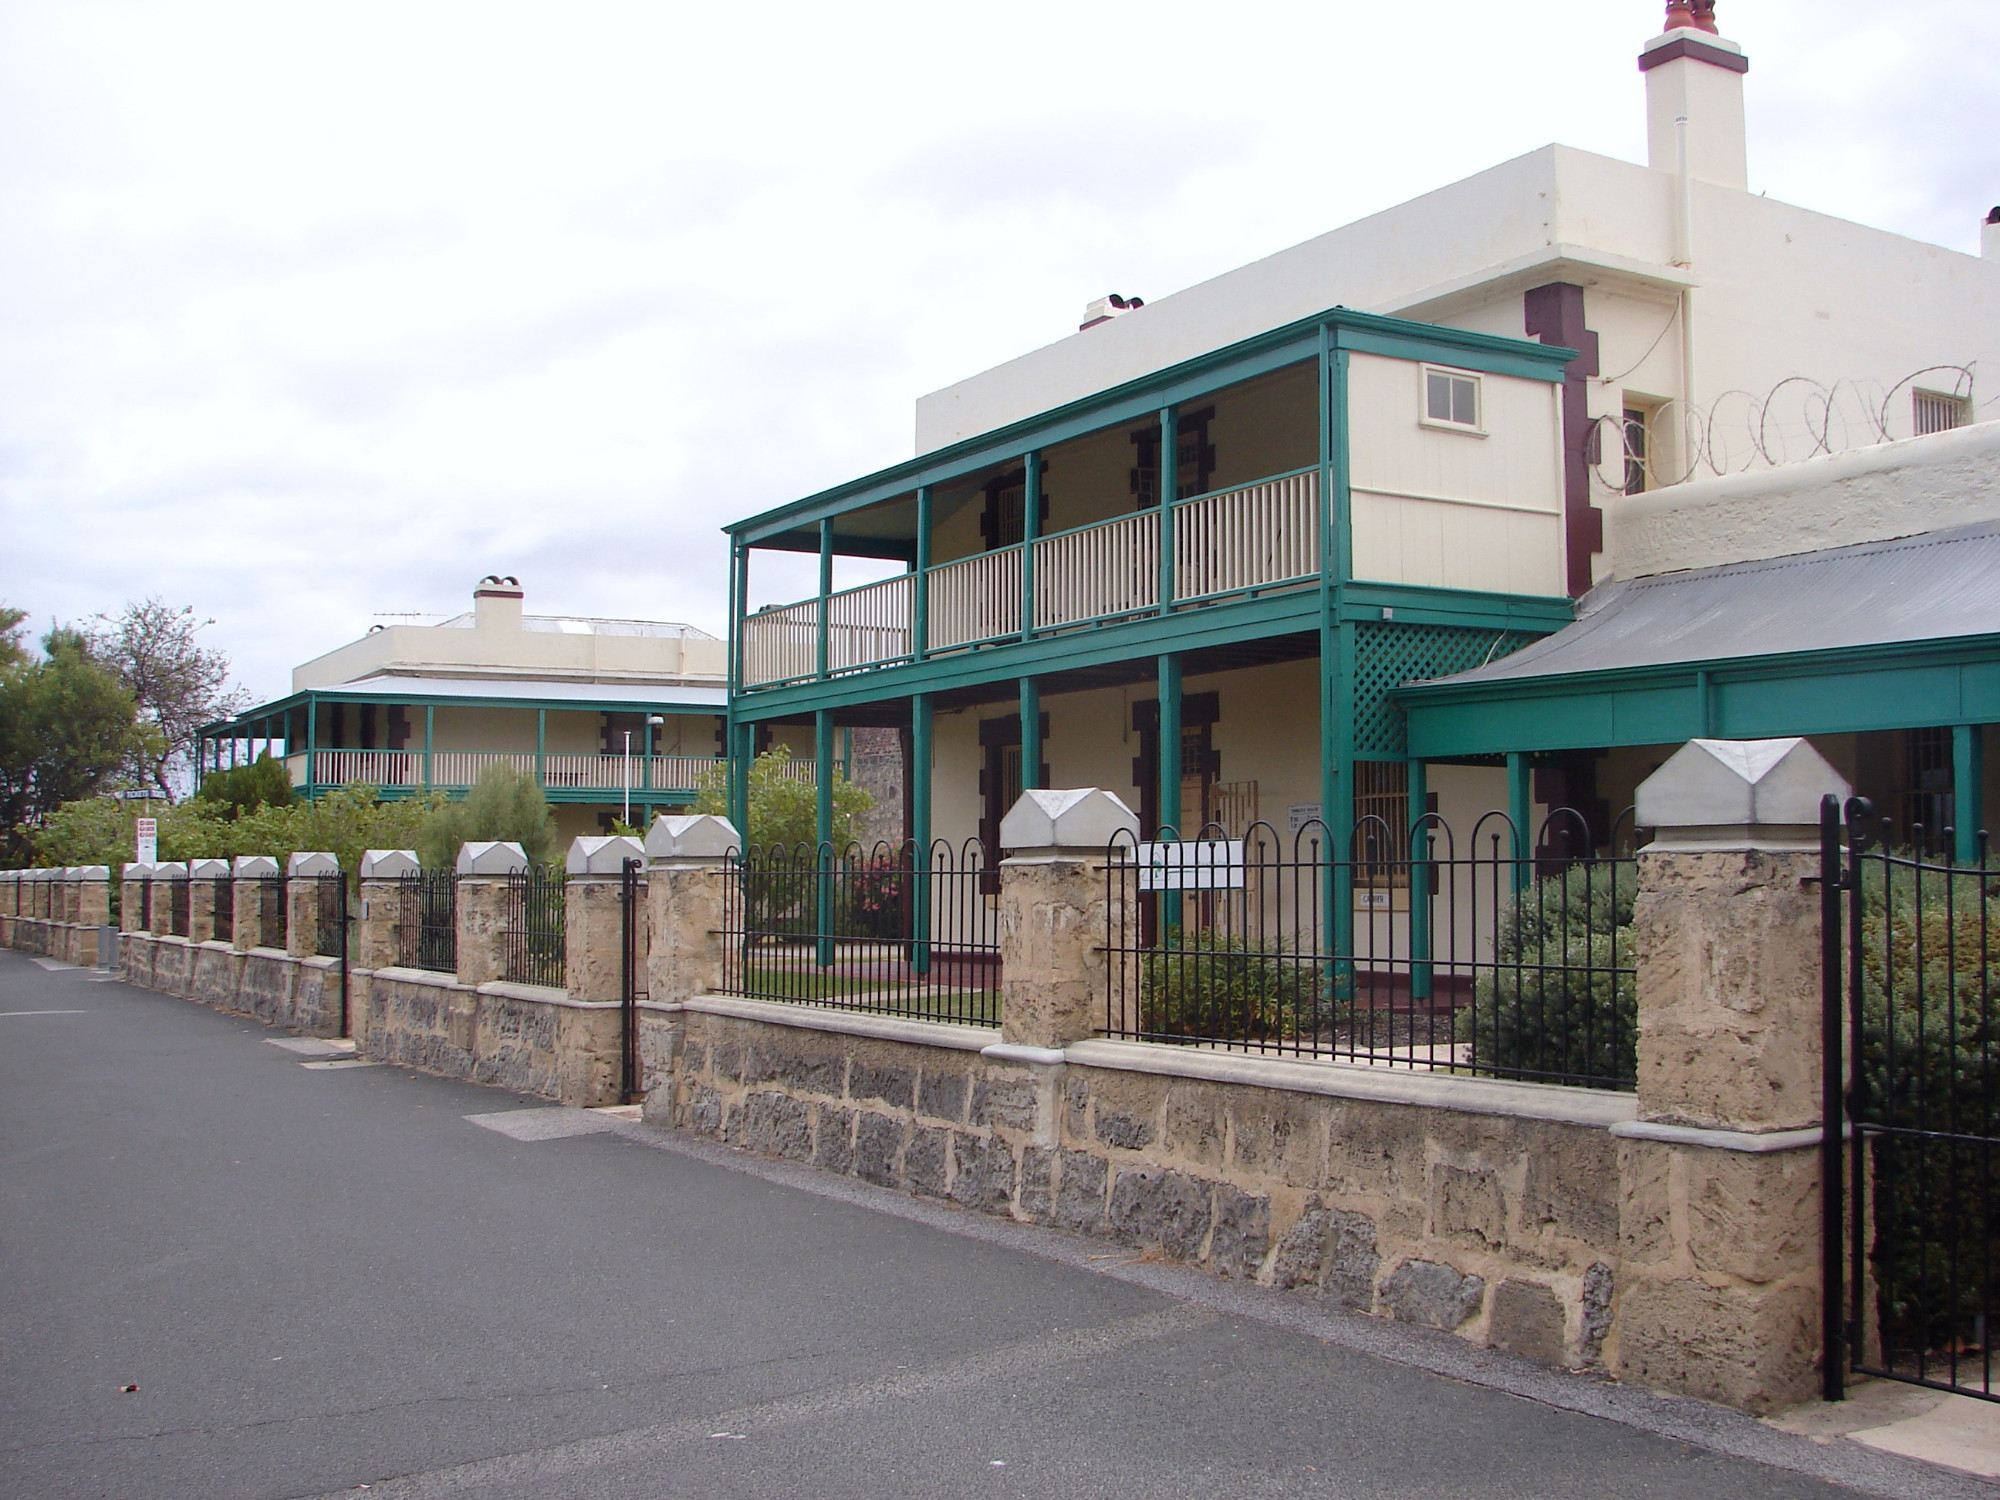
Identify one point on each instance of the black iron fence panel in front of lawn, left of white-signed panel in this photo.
(895, 929)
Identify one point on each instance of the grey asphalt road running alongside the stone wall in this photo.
(237, 1269)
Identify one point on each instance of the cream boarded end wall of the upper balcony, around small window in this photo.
(1455, 509)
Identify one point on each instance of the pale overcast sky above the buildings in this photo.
(315, 313)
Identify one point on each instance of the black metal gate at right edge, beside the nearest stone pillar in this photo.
(1911, 947)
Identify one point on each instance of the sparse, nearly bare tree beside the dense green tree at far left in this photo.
(177, 683)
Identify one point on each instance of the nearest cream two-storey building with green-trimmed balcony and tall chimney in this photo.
(1191, 551)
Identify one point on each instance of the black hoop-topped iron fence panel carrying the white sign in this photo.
(1407, 949)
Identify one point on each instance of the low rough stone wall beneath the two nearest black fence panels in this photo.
(1505, 1231)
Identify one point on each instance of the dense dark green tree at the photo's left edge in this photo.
(67, 731)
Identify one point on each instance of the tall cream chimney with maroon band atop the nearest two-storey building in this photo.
(1699, 77)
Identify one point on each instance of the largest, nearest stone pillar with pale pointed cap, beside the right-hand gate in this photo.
(1719, 1283)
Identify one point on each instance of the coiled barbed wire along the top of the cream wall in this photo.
(1739, 431)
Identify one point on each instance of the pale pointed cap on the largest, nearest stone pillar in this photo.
(1733, 795)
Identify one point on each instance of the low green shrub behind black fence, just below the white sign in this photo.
(1209, 985)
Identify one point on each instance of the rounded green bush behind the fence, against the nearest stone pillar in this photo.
(1569, 1009)
